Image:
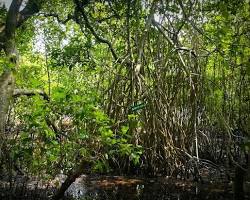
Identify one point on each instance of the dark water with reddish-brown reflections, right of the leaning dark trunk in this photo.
(120, 188)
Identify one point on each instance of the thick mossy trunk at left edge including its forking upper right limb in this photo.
(14, 19)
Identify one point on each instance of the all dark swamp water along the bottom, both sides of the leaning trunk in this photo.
(124, 188)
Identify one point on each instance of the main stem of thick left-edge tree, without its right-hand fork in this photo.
(7, 82)
